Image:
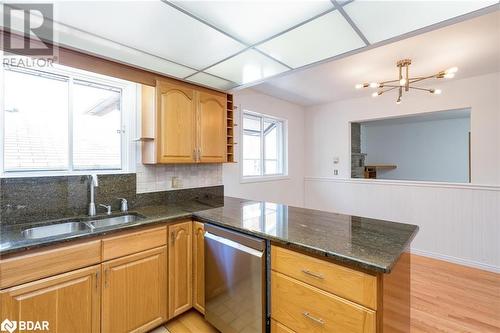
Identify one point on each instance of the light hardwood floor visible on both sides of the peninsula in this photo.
(445, 298)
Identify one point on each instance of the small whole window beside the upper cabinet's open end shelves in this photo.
(264, 147)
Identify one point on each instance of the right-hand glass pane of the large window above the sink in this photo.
(96, 126)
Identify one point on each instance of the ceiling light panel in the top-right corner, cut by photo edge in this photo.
(381, 20)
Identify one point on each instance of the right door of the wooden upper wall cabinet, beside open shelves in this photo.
(212, 128)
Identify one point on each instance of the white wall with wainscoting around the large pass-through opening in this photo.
(457, 222)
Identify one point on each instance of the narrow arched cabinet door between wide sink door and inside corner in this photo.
(180, 278)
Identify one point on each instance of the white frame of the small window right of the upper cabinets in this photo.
(283, 147)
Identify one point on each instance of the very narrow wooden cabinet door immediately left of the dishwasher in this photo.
(198, 266)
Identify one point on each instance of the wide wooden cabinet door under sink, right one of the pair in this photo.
(134, 292)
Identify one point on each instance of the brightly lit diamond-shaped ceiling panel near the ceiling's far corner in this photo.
(246, 67)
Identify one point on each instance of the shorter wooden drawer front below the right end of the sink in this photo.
(133, 242)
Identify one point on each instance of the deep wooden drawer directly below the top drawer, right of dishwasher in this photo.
(306, 309)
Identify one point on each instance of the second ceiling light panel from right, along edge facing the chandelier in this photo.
(323, 37)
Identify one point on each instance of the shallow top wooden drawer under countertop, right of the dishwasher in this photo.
(350, 284)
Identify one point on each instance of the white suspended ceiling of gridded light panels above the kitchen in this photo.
(228, 44)
